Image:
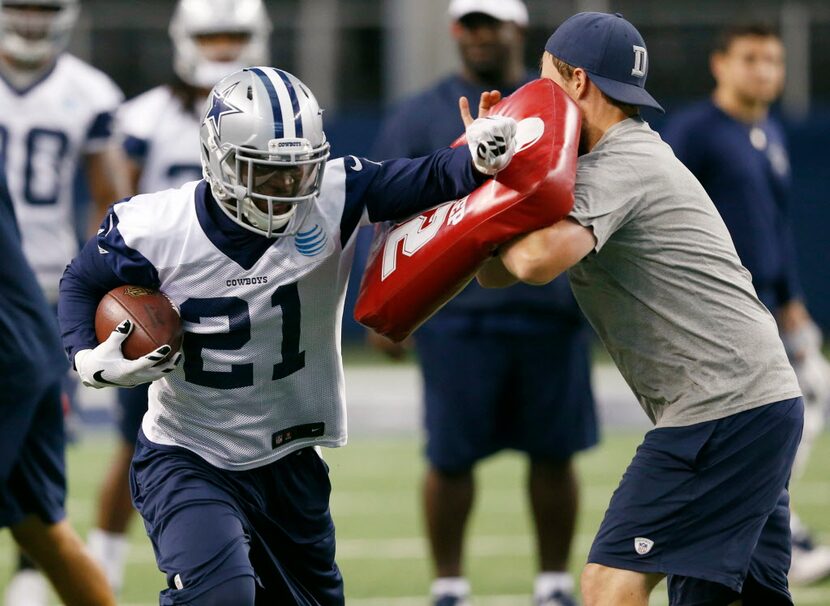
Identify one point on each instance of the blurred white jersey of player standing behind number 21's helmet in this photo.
(162, 136)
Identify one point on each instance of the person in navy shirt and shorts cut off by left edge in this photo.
(32, 480)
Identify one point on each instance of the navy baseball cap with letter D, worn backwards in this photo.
(610, 50)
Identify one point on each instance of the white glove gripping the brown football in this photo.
(106, 366)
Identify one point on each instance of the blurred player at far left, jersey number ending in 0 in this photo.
(57, 116)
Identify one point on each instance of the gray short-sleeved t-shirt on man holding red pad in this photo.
(664, 287)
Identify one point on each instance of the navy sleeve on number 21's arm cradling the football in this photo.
(104, 263)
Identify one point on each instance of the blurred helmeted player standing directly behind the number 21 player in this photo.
(160, 129)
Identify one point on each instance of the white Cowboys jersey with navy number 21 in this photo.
(262, 374)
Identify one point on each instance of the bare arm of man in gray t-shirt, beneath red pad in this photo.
(538, 257)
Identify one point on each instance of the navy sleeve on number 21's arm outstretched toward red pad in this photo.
(396, 189)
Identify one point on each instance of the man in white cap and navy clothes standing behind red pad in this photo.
(501, 369)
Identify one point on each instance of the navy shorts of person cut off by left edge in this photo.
(32, 443)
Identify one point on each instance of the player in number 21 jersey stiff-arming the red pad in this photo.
(233, 495)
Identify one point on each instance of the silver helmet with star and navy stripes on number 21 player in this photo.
(264, 150)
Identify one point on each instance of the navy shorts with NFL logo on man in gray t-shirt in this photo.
(707, 505)
